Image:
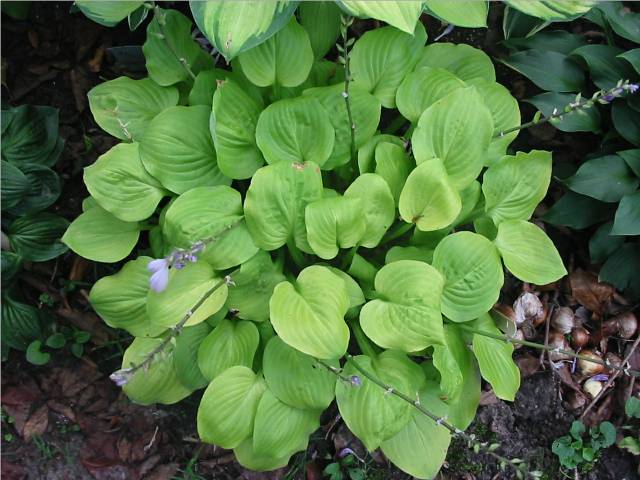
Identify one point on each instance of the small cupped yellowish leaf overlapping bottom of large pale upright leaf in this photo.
(429, 199)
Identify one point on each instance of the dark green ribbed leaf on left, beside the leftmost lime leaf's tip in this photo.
(37, 237)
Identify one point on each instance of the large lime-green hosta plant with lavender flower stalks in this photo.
(298, 253)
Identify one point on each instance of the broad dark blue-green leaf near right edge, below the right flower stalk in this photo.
(605, 178)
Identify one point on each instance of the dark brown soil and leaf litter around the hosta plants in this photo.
(68, 421)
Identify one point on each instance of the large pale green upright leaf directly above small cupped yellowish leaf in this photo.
(457, 129)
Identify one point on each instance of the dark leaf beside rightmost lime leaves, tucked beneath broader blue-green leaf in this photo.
(577, 211)
